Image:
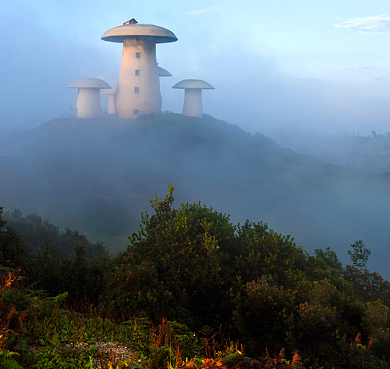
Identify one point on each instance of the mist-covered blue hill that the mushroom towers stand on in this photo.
(97, 176)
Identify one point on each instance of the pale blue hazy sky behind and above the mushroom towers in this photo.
(275, 64)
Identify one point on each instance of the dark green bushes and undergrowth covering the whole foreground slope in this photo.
(191, 290)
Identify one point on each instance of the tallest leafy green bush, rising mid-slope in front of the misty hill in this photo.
(188, 247)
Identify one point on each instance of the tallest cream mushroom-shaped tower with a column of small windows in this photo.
(138, 88)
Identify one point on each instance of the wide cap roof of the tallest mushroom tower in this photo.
(131, 29)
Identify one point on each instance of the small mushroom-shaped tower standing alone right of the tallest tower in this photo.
(193, 96)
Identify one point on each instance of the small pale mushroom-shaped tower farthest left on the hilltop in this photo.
(88, 98)
